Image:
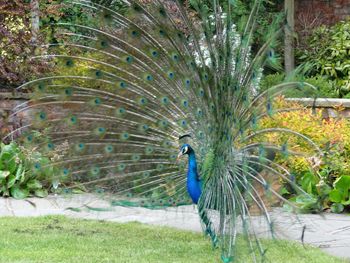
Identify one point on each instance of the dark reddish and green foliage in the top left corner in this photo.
(17, 47)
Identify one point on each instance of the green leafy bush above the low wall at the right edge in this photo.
(329, 52)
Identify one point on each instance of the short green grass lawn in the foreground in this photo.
(59, 239)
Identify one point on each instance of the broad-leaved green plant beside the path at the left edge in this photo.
(17, 177)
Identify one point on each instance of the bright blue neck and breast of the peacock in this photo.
(193, 182)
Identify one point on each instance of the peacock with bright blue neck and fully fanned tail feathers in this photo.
(154, 105)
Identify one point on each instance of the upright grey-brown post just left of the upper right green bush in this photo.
(289, 35)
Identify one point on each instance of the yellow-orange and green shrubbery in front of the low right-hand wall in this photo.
(327, 181)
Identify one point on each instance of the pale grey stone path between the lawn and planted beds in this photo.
(330, 232)
